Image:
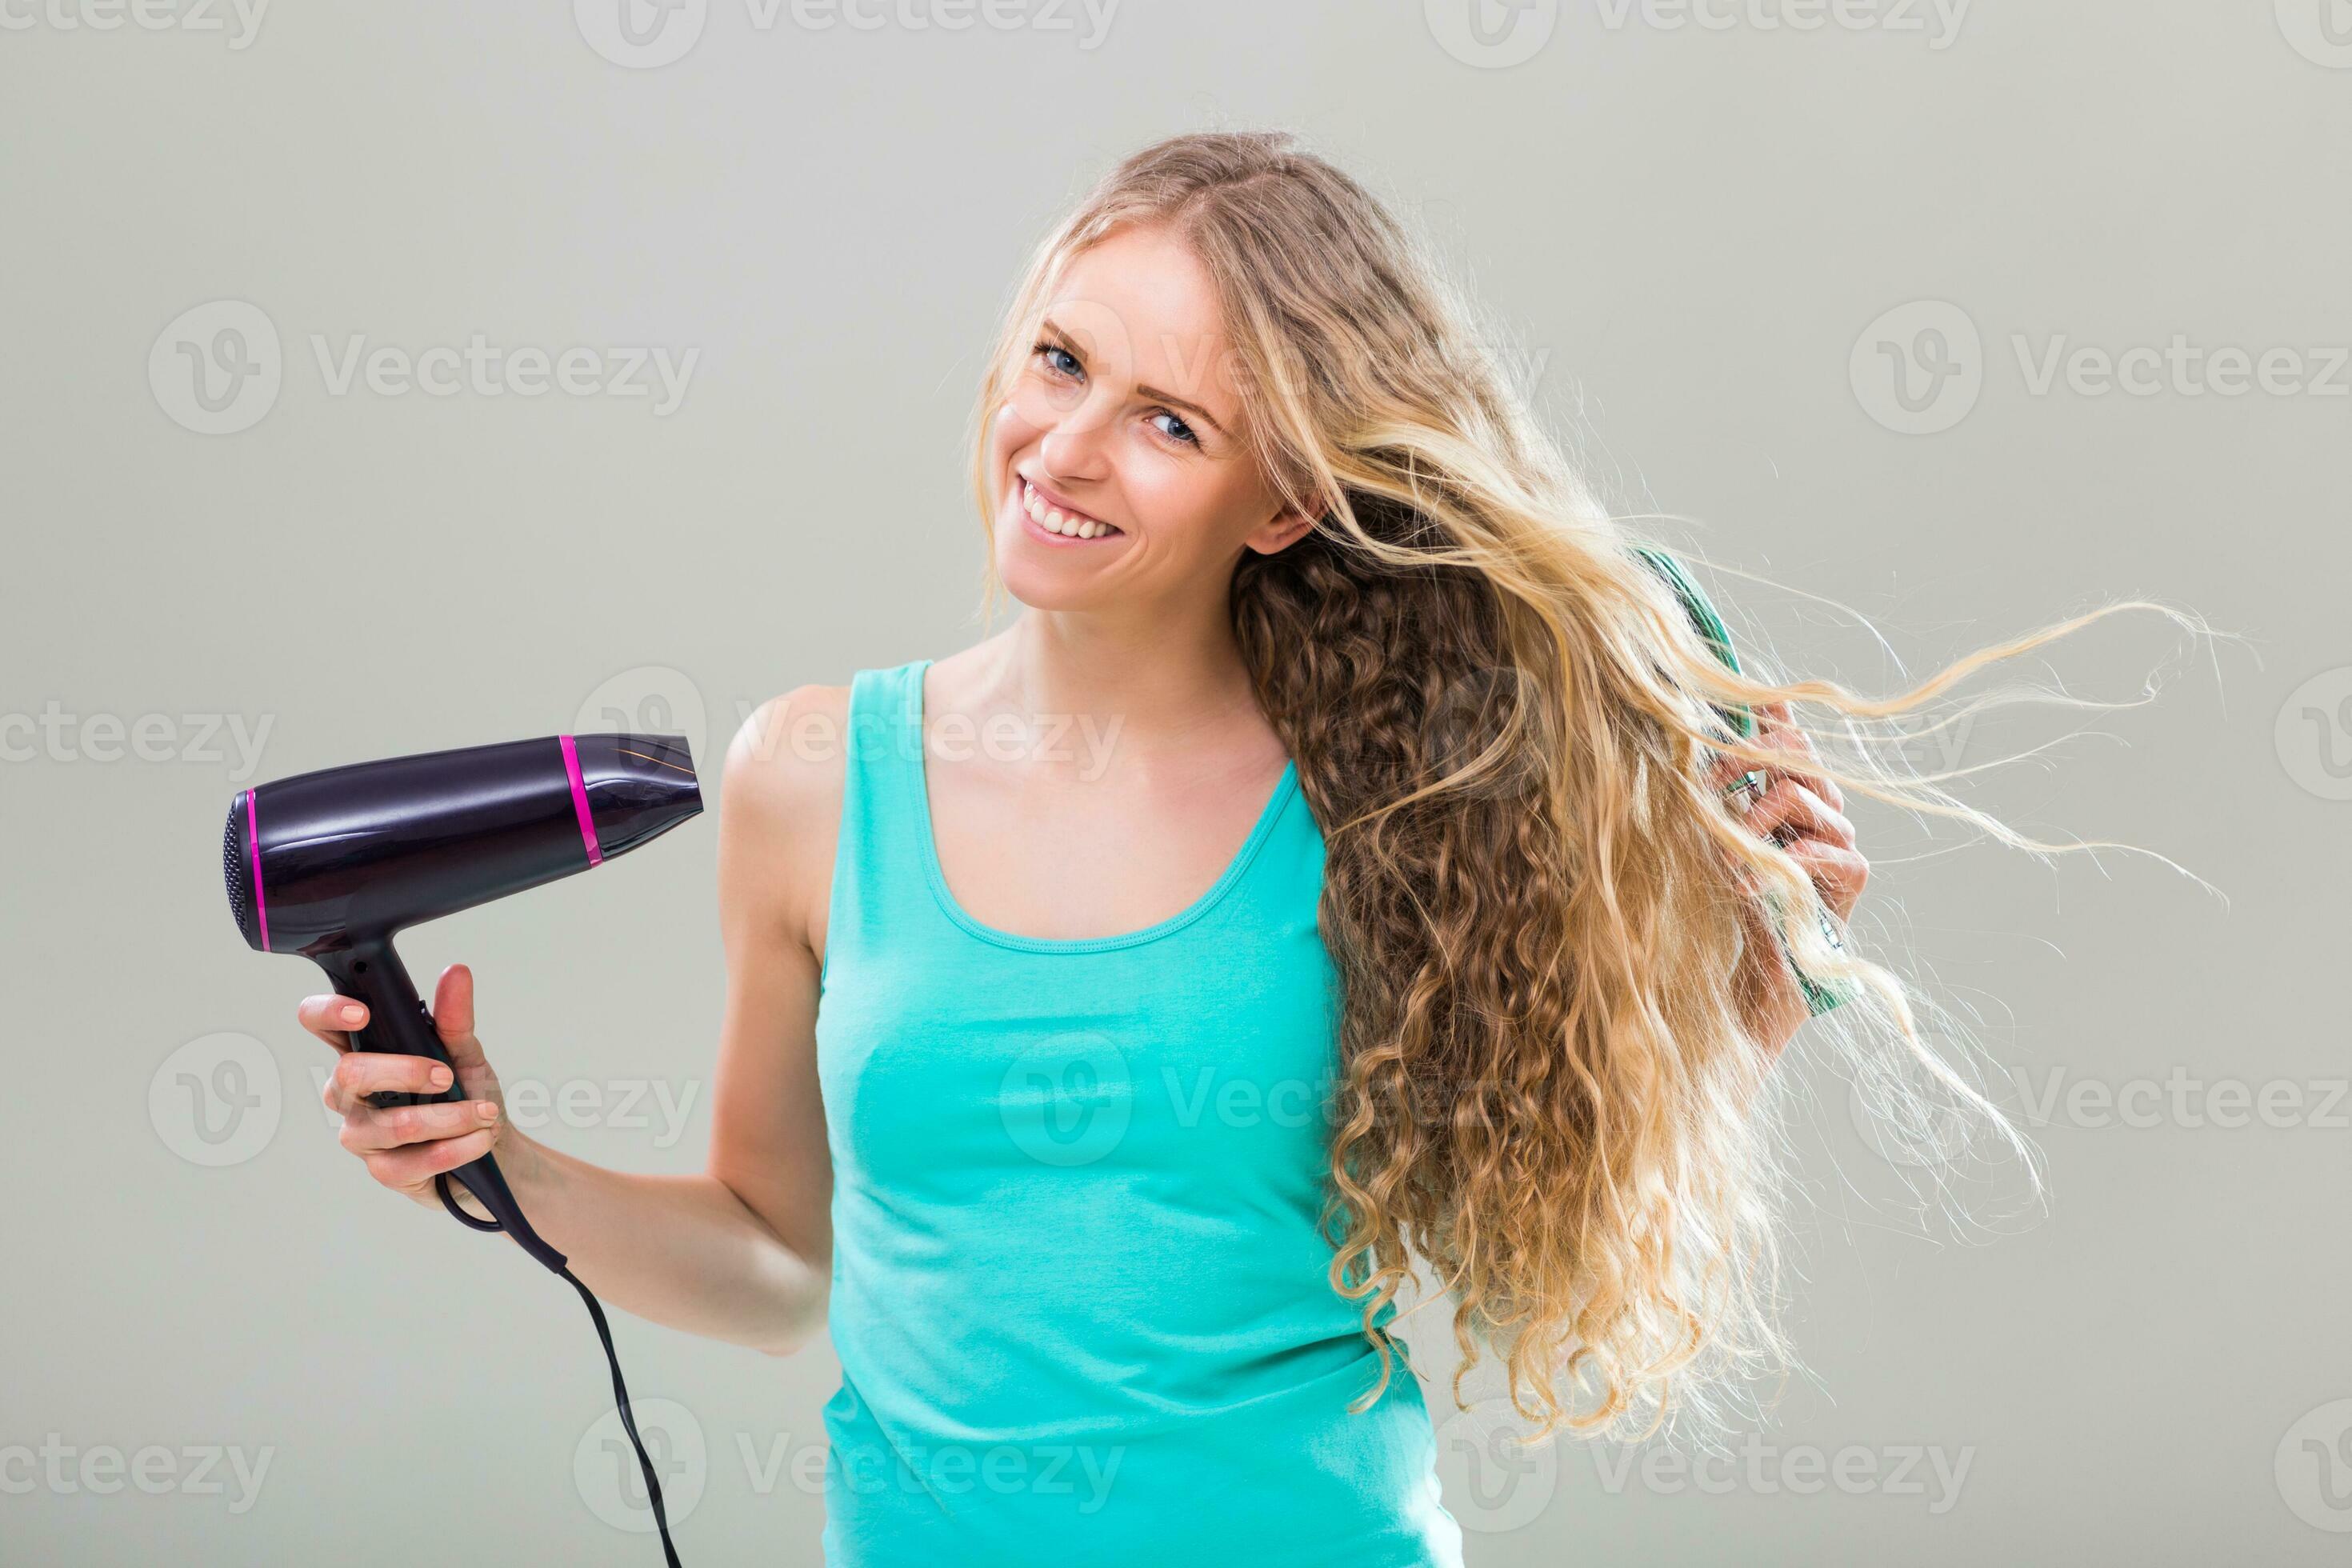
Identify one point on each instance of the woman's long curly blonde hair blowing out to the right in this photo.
(1537, 904)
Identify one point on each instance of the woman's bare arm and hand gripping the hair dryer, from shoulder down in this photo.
(744, 1249)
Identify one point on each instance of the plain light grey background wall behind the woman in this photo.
(1690, 232)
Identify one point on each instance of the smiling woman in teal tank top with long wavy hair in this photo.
(1344, 857)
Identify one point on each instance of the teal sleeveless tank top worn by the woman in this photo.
(1078, 1287)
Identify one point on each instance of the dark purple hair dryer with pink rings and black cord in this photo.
(335, 864)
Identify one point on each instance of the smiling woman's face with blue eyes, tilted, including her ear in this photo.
(1121, 462)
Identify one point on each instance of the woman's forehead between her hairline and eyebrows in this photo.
(1147, 311)
